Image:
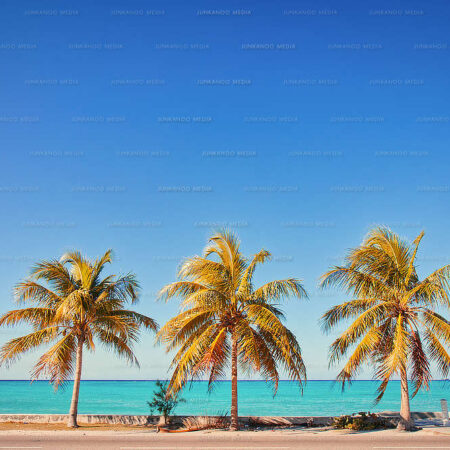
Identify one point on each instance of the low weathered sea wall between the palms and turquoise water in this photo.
(153, 420)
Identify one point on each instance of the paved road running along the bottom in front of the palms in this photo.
(248, 441)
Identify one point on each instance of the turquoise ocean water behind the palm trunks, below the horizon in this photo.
(255, 398)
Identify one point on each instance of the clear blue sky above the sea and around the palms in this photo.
(142, 125)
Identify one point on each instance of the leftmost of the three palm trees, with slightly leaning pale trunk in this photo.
(74, 307)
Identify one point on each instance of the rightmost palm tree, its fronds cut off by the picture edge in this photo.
(396, 326)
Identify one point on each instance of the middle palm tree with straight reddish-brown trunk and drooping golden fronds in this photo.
(222, 316)
